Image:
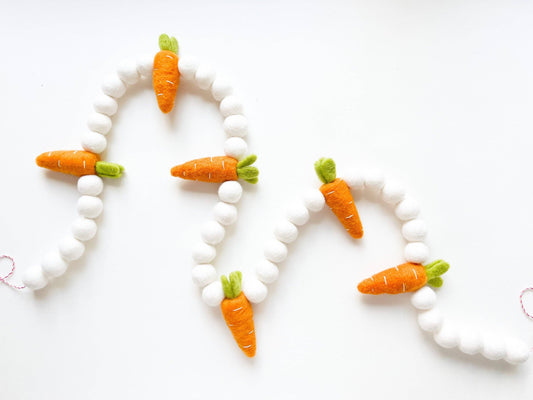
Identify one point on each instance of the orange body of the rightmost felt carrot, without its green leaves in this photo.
(407, 277)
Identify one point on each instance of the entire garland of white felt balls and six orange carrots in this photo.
(236, 293)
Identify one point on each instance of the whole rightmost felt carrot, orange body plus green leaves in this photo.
(407, 277)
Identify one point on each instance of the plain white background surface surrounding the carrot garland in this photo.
(438, 94)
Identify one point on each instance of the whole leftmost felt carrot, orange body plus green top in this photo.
(78, 163)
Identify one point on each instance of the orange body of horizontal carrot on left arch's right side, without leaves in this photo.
(209, 169)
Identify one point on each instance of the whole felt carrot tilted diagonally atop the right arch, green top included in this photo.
(338, 197)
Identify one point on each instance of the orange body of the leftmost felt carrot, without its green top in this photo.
(73, 162)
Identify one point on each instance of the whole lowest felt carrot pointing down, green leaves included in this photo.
(238, 313)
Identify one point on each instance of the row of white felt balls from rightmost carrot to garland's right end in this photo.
(469, 341)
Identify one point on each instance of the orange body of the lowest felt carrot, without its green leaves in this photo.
(239, 317)
